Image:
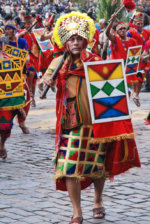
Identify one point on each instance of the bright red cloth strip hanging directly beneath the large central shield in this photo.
(110, 129)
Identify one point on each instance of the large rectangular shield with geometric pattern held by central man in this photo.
(107, 91)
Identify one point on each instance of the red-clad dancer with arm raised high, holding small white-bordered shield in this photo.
(119, 48)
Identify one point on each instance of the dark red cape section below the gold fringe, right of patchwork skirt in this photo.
(120, 158)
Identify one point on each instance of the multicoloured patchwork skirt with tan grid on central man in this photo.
(77, 156)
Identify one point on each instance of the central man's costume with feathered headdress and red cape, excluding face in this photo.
(76, 155)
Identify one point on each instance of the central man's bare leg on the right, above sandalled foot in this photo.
(98, 187)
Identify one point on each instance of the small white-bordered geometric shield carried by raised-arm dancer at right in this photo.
(133, 58)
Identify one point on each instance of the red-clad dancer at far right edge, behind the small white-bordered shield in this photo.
(141, 35)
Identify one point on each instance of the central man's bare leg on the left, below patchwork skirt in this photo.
(74, 190)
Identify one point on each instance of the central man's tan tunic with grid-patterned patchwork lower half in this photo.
(77, 156)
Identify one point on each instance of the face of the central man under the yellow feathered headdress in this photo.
(75, 44)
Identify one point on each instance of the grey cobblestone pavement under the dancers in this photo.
(27, 193)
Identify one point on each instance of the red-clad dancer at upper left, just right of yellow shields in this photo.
(32, 65)
